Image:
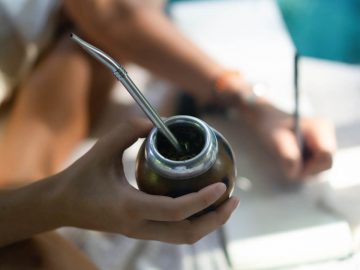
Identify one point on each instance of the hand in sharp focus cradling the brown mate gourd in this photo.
(97, 196)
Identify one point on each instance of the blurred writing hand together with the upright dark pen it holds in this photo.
(302, 145)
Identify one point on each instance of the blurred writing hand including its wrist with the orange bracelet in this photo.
(276, 129)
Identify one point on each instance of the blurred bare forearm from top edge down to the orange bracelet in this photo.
(147, 37)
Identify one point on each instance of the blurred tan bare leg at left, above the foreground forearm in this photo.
(51, 114)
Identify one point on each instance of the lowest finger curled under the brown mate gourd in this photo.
(190, 231)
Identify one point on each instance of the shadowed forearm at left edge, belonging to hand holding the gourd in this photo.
(29, 210)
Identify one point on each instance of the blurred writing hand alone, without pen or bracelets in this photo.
(276, 130)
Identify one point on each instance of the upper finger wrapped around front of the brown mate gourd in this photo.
(163, 208)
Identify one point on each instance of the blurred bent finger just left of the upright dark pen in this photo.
(286, 147)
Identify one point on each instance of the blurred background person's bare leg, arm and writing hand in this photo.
(57, 101)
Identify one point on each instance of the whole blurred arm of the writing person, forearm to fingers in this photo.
(133, 31)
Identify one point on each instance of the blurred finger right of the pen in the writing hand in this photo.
(320, 139)
